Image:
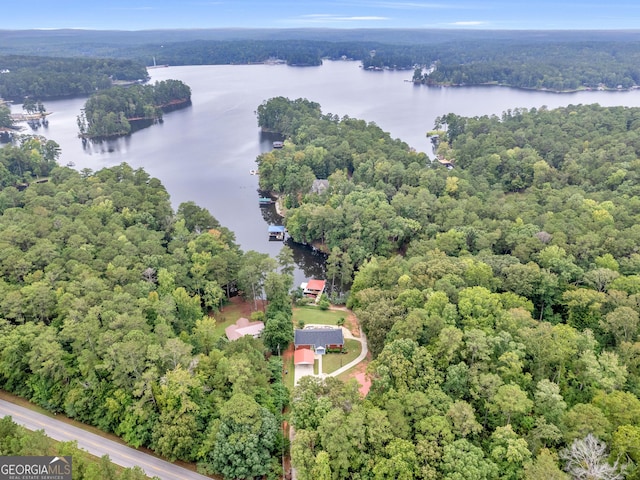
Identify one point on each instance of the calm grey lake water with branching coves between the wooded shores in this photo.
(204, 153)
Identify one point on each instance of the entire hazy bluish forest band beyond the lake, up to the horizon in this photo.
(559, 61)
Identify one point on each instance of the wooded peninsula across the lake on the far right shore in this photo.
(554, 66)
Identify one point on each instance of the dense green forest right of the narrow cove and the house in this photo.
(500, 298)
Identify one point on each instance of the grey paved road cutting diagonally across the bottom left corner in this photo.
(97, 445)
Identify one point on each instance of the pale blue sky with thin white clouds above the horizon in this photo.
(461, 14)
